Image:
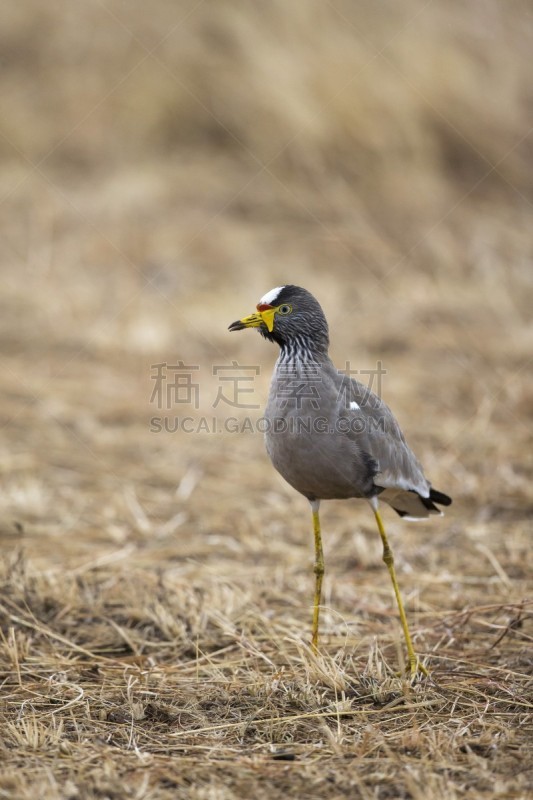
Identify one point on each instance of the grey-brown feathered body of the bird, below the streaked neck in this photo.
(327, 450)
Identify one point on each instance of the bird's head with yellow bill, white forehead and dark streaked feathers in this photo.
(288, 315)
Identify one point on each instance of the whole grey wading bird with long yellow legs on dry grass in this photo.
(331, 437)
